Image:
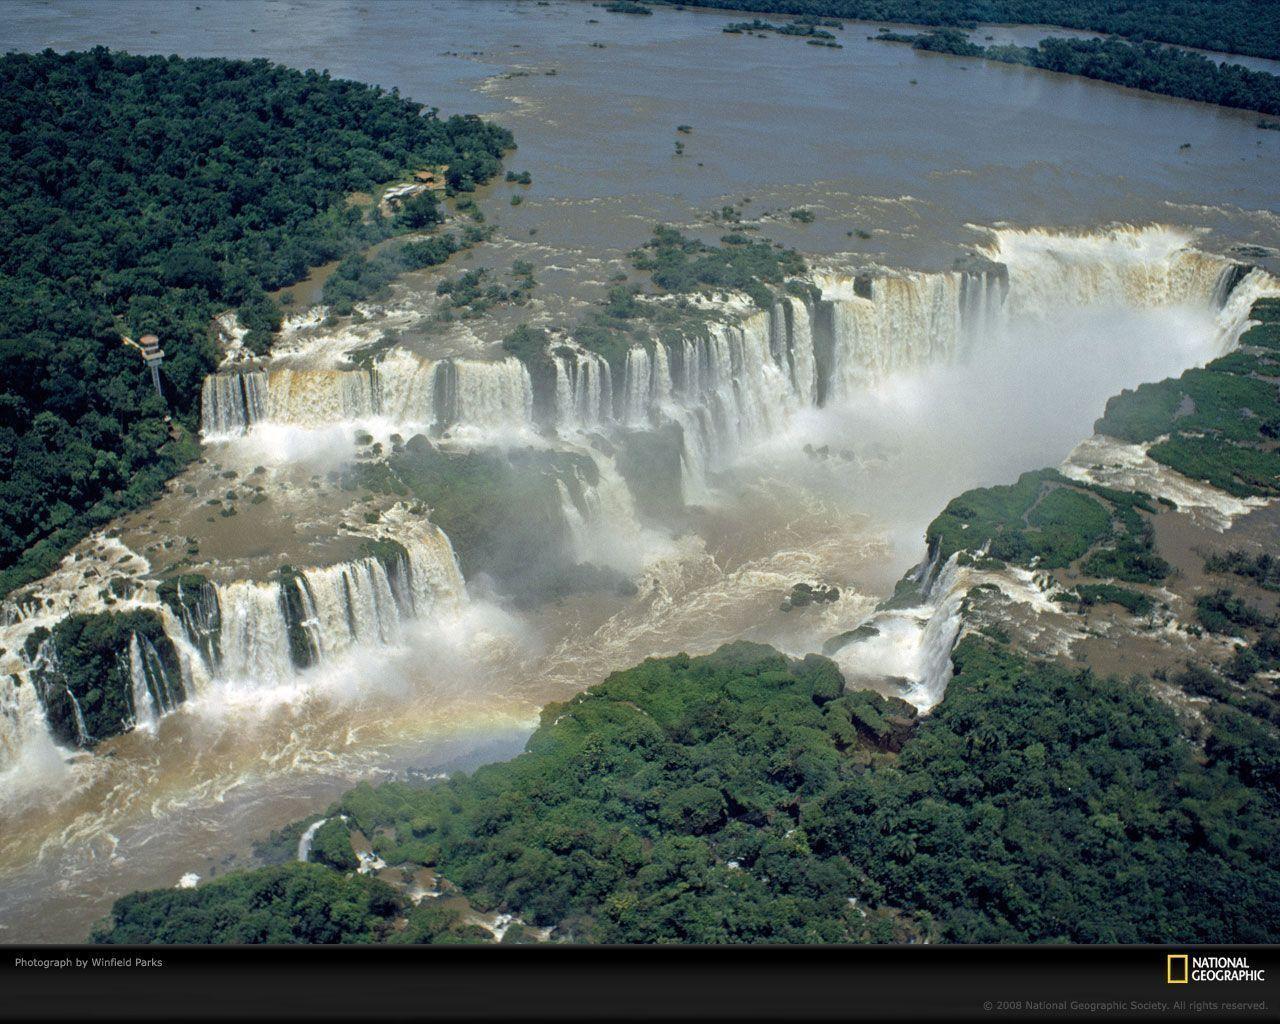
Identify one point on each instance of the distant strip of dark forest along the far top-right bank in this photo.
(1229, 26)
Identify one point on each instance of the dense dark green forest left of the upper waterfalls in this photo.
(147, 194)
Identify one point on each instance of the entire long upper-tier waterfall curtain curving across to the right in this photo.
(744, 380)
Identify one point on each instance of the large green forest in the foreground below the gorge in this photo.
(744, 798)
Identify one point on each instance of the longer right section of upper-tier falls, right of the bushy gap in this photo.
(738, 383)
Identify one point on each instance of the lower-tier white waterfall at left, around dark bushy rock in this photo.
(243, 634)
